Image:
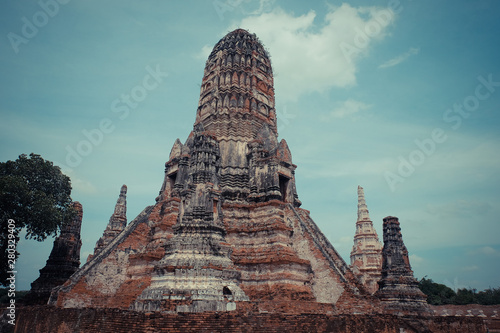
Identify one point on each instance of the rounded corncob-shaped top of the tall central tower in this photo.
(237, 94)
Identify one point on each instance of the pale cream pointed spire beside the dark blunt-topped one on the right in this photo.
(366, 254)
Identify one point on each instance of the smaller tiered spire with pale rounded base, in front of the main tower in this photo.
(196, 274)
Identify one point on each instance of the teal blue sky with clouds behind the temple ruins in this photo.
(400, 97)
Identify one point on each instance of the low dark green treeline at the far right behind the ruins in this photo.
(439, 294)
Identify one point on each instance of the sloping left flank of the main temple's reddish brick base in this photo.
(116, 275)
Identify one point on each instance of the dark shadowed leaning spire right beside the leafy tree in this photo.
(63, 261)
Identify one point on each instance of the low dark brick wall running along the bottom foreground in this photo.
(49, 319)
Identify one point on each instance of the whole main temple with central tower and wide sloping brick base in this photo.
(227, 230)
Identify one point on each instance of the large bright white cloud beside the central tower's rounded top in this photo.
(310, 56)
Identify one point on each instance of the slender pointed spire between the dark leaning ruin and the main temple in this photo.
(117, 222)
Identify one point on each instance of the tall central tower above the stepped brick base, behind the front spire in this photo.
(237, 107)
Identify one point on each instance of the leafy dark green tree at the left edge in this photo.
(36, 195)
